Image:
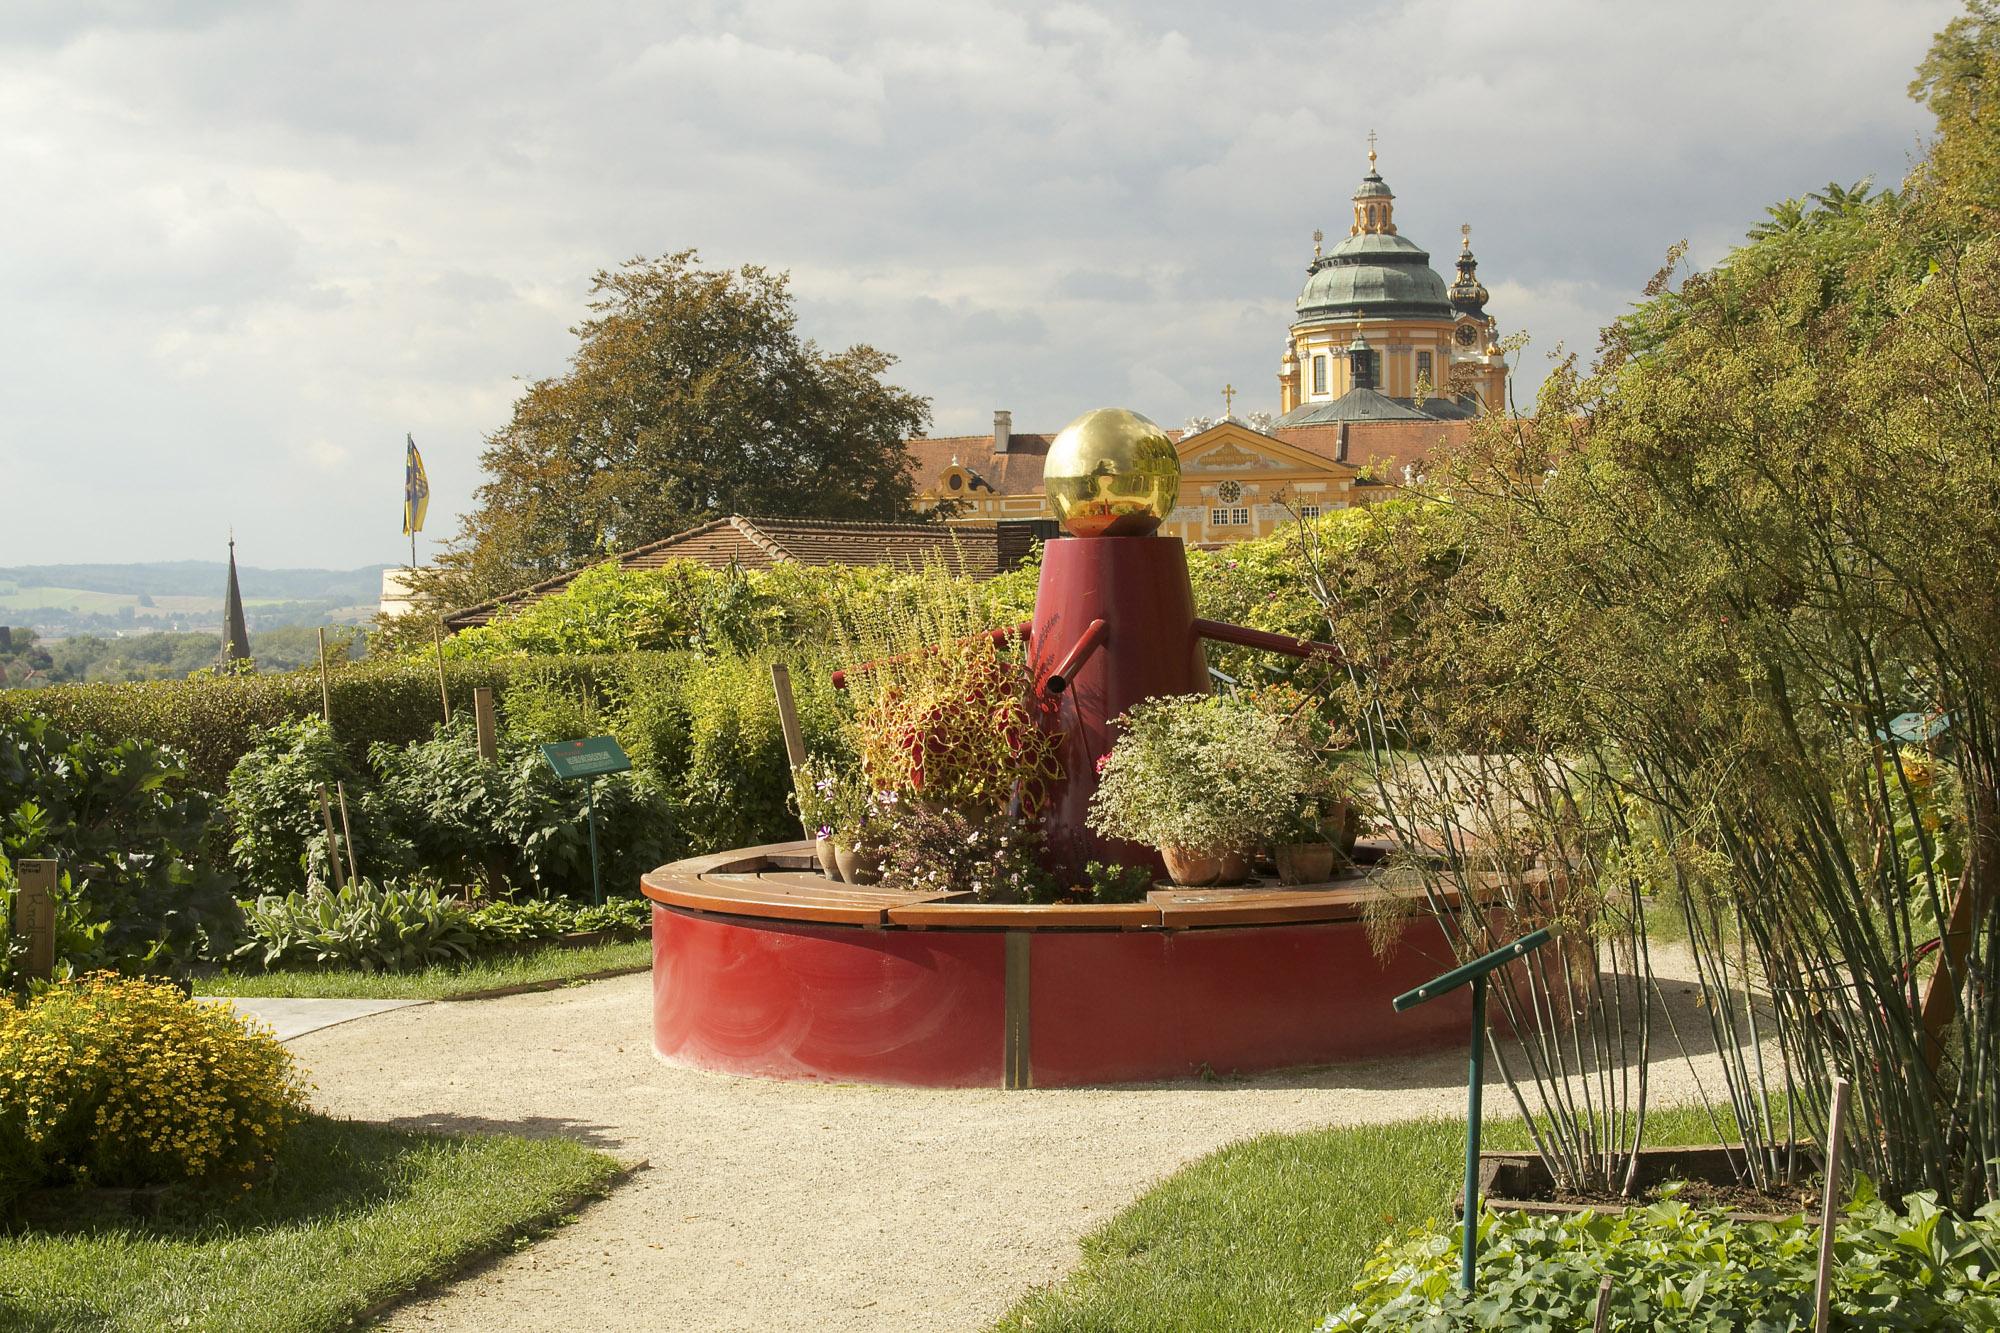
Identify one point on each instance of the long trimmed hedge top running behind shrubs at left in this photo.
(217, 720)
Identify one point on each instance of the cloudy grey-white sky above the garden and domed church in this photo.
(247, 247)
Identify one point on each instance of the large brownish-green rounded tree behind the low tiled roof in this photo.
(691, 395)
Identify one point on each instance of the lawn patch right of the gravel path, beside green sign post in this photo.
(1269, 1234)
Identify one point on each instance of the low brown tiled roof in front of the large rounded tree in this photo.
(759, 543)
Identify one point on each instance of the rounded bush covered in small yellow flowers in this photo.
(127, 1082)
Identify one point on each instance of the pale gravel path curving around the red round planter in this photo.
(789, 1206)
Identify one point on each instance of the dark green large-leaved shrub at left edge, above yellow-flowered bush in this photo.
(135, 894)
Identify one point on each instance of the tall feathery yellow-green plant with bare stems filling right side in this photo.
(1717, 569)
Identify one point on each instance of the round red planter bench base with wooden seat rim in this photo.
(763, 970)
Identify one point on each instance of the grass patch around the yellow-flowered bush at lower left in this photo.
(351, 1218)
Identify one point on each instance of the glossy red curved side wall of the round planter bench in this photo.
(927, 1008)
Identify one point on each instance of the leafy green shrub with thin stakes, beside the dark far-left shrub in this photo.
(275, 806)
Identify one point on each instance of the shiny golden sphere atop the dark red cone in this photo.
(1111, 473)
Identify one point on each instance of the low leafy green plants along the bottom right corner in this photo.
(1679, 1268)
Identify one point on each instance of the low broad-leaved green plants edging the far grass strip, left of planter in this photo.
(365, 926)
